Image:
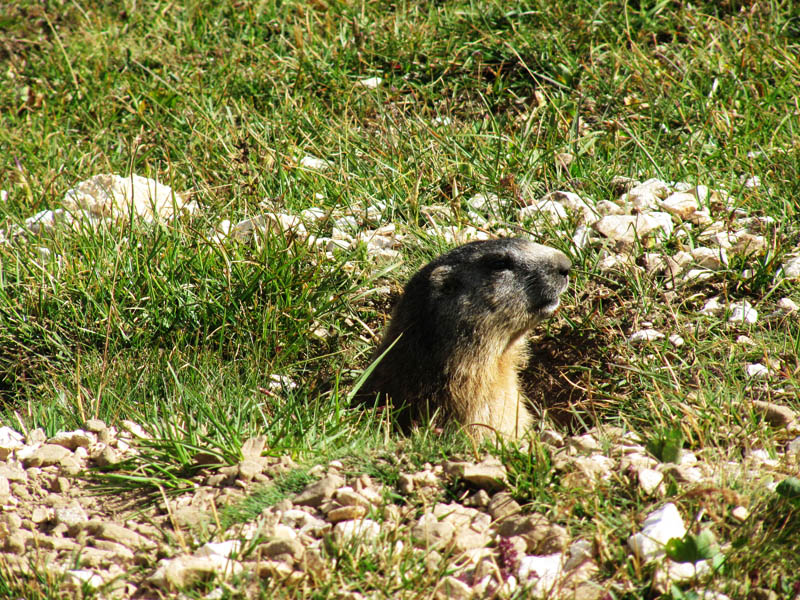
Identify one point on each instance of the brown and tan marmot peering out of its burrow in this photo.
(457, 336)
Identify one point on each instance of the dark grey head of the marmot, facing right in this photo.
(499, 285)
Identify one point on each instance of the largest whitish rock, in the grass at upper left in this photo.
(114, 196)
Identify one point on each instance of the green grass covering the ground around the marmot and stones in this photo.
(163, 325)
